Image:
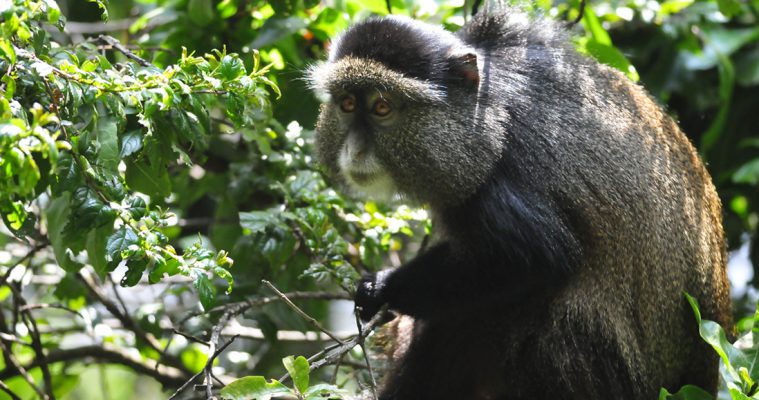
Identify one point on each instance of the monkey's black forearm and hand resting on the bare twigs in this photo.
(441, 280)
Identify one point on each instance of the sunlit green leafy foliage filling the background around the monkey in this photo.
(142, 161)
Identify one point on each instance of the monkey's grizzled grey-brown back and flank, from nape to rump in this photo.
(634, 192)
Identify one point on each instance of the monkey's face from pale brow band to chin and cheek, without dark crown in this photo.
(388, 135)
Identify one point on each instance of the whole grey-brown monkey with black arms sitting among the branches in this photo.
(570, 212)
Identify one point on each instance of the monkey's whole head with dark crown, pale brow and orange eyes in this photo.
(401, 116)
